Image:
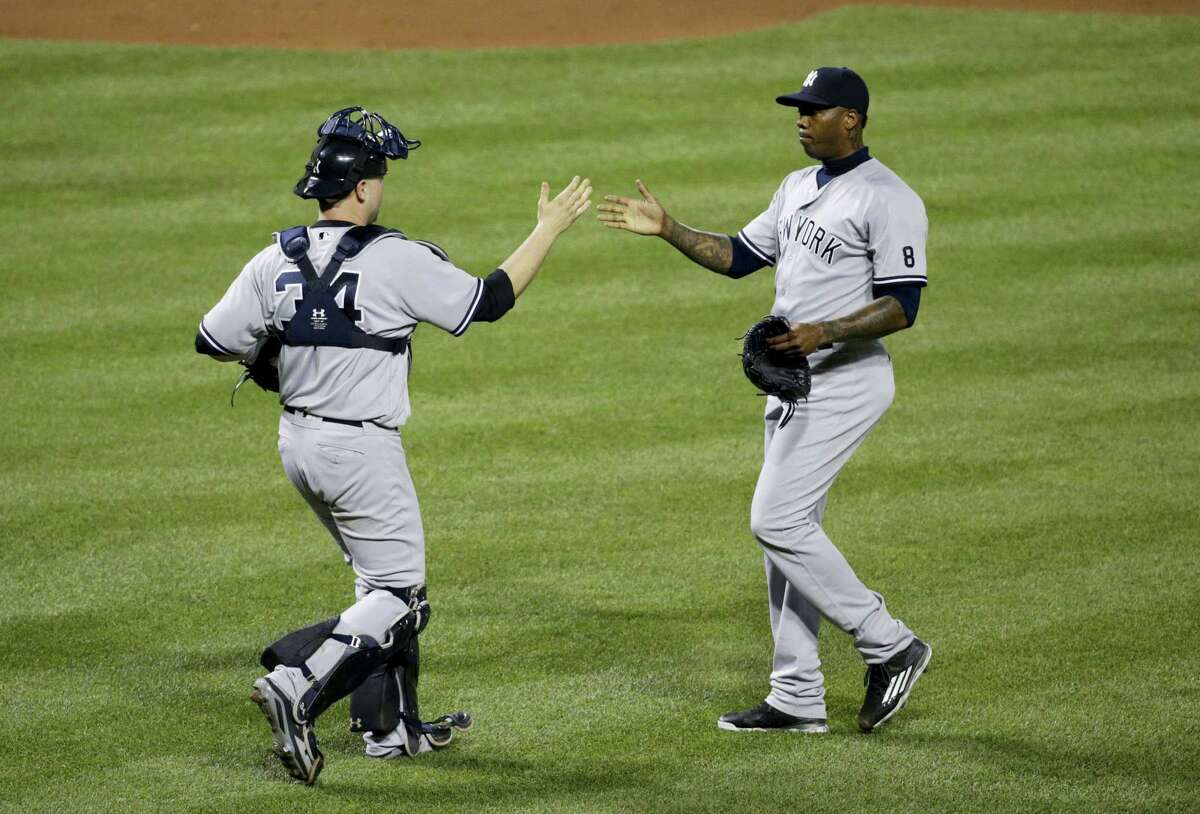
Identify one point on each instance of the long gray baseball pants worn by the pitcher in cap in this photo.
(807, 577)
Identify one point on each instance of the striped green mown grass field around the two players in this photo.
(586, 466)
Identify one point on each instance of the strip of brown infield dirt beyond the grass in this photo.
(460, 25)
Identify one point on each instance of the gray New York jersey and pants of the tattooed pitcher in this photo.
(832, 247)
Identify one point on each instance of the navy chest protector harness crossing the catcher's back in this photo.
(320, 320)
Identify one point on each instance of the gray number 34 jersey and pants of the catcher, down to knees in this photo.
(355, 478)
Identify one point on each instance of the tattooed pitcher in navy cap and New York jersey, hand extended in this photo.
(848, 242)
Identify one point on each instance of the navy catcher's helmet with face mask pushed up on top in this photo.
(351, 146)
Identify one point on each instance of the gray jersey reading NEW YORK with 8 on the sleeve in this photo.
(832, 246)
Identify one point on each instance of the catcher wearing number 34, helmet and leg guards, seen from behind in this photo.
(325, 316)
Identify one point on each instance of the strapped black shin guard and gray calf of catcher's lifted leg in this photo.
(365, 638)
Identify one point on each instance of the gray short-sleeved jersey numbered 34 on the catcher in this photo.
(387, 290)
